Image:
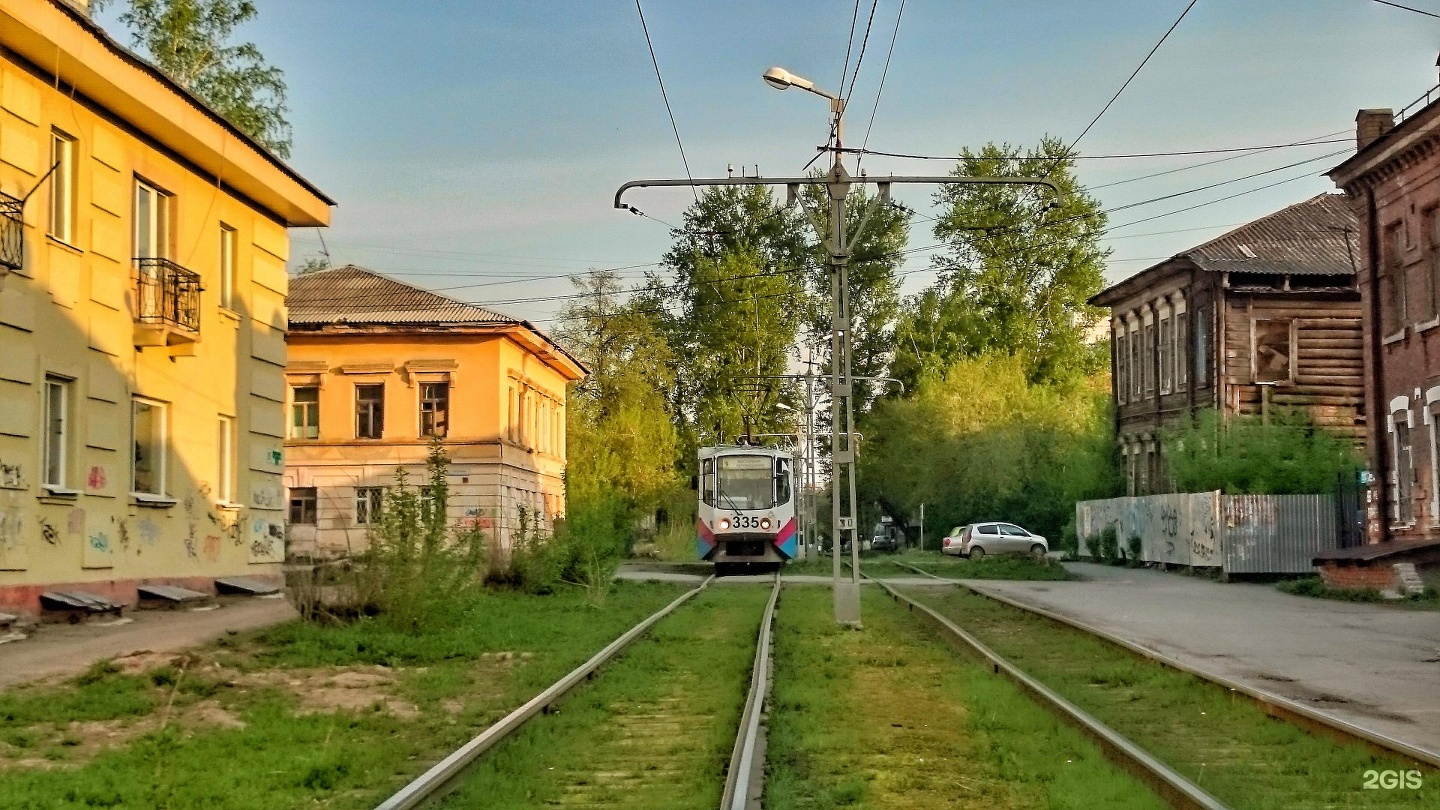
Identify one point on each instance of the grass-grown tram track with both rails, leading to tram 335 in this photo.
(634, 734)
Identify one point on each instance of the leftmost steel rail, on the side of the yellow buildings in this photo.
(431, 782)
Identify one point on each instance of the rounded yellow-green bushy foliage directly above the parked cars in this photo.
(986, 443)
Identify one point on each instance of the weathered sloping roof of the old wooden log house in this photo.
(1308, 239)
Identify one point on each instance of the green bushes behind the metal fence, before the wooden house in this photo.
(1246, 456)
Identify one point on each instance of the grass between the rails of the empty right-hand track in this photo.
(1219, 740)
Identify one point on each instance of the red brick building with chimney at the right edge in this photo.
(1393, 185)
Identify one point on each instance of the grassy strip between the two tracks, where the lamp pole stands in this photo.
(894, 717)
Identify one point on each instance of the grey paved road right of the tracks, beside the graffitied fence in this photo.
(1372, 665)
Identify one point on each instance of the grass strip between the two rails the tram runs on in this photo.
(653, 731)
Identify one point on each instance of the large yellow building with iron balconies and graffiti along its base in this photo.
(143, 246)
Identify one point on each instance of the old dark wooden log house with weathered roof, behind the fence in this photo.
(1266, 318)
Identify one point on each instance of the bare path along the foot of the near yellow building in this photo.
(63, 649)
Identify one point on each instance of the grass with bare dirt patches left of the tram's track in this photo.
(451, 682)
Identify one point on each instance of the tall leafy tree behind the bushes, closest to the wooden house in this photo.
(1016, 273)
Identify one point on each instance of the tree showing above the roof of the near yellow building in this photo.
(192, 43)
